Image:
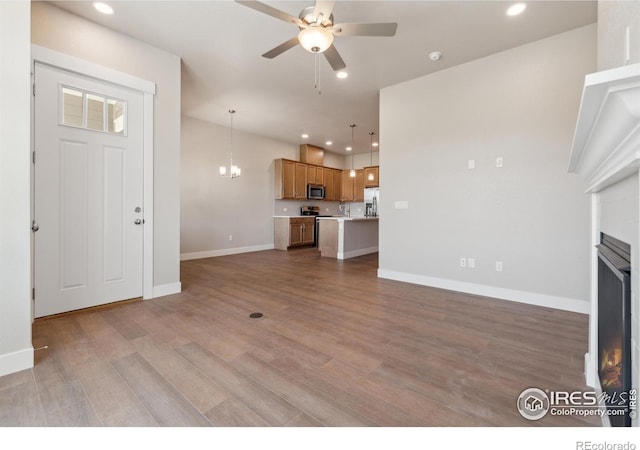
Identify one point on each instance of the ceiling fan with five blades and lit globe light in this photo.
(317, 30)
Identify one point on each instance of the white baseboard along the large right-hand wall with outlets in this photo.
(531, 298)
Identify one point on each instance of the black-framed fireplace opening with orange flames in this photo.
(614, 327)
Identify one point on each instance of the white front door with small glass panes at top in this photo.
(88, 192)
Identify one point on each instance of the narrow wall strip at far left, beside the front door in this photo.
(16, 352)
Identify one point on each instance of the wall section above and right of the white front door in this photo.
(66, 33)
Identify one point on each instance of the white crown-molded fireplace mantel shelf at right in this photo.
(606, 144)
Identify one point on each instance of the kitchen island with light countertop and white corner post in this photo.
(347, 237)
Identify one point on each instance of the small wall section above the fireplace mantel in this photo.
(613, 19)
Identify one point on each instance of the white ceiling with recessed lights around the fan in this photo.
(221, 43)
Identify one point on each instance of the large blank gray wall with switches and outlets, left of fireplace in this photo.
(531, 214)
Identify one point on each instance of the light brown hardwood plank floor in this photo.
(335, 347)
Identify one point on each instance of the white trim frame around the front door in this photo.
(148, 89)
